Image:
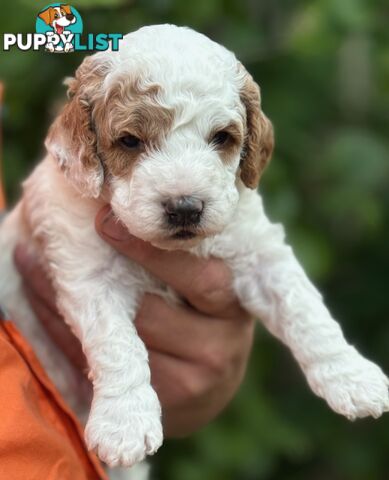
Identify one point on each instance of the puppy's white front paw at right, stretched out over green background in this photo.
(353, 386)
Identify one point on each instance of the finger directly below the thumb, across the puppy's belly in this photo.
(184, 333)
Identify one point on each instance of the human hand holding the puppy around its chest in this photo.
(198, 352)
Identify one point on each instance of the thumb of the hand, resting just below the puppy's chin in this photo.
(205, 283)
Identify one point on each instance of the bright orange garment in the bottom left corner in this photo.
(40, 439)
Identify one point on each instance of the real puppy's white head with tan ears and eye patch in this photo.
(169, 130)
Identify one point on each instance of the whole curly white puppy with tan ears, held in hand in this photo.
(170, 132)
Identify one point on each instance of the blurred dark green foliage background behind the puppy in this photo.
(323, 67)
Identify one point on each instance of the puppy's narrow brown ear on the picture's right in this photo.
(259, 142)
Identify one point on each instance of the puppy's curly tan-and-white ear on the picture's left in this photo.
(72, 139)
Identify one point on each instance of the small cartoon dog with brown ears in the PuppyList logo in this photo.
(58, 18)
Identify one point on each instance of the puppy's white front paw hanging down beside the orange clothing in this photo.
(123, 430)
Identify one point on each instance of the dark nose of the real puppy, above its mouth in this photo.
(183, 211)
